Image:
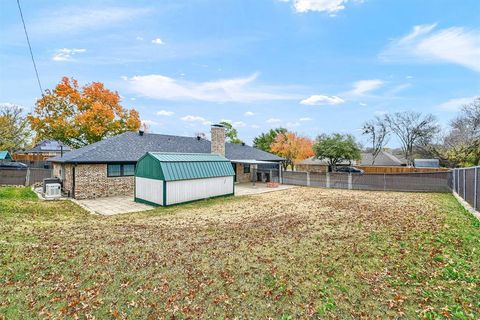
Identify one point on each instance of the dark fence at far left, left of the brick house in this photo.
(23, 177)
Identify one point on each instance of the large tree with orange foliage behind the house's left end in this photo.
(78, 116)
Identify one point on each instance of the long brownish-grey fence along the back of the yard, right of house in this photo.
(423, 182)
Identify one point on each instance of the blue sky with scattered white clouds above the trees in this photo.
(312, 66)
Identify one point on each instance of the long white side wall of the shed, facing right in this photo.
(189, 190)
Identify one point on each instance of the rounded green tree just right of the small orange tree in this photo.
(336, 148)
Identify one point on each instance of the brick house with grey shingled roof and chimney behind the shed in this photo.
(107, 168)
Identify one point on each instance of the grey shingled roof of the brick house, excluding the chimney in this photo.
(130, 146)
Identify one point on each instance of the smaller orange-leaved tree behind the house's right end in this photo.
(292, 147)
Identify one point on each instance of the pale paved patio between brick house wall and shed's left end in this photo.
(113, 205)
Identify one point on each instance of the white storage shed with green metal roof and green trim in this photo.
(171, 178)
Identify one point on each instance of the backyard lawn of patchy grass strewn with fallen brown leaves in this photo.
(298, 253)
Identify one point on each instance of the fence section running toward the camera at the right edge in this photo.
(466, 183)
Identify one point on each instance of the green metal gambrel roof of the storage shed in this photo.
(183, 166)
